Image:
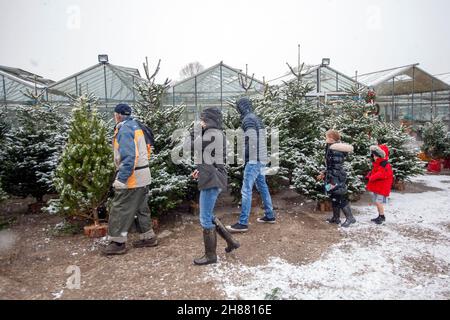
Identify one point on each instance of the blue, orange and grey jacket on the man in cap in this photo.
(131, 155)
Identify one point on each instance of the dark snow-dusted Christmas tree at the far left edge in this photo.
(34, 146)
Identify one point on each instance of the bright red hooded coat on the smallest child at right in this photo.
(381, 177)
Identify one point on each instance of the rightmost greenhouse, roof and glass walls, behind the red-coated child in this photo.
(409, 94)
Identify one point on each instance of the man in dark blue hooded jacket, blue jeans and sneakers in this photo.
(255, 156)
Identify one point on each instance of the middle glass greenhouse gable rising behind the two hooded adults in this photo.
(212, 88)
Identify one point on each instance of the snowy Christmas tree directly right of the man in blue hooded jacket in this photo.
(300, 124)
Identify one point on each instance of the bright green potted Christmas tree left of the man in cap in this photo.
(85, 172)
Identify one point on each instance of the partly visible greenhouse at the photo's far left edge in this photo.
(17, 85)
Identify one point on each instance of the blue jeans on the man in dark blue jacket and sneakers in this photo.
(254, 173)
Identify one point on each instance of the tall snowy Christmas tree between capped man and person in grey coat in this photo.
(171, 183)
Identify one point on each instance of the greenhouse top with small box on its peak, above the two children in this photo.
(328, 85)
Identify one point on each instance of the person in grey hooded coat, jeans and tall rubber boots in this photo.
(212, 180)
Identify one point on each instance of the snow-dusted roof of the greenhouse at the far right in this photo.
(403, 81)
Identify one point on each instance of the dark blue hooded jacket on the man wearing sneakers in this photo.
(255, 146)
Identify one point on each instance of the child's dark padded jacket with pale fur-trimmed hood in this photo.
(335, 173)
